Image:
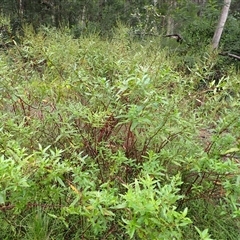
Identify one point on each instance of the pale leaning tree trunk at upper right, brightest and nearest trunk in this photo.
(221, 23)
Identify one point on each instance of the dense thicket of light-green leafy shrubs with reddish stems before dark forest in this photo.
(106, 140)
